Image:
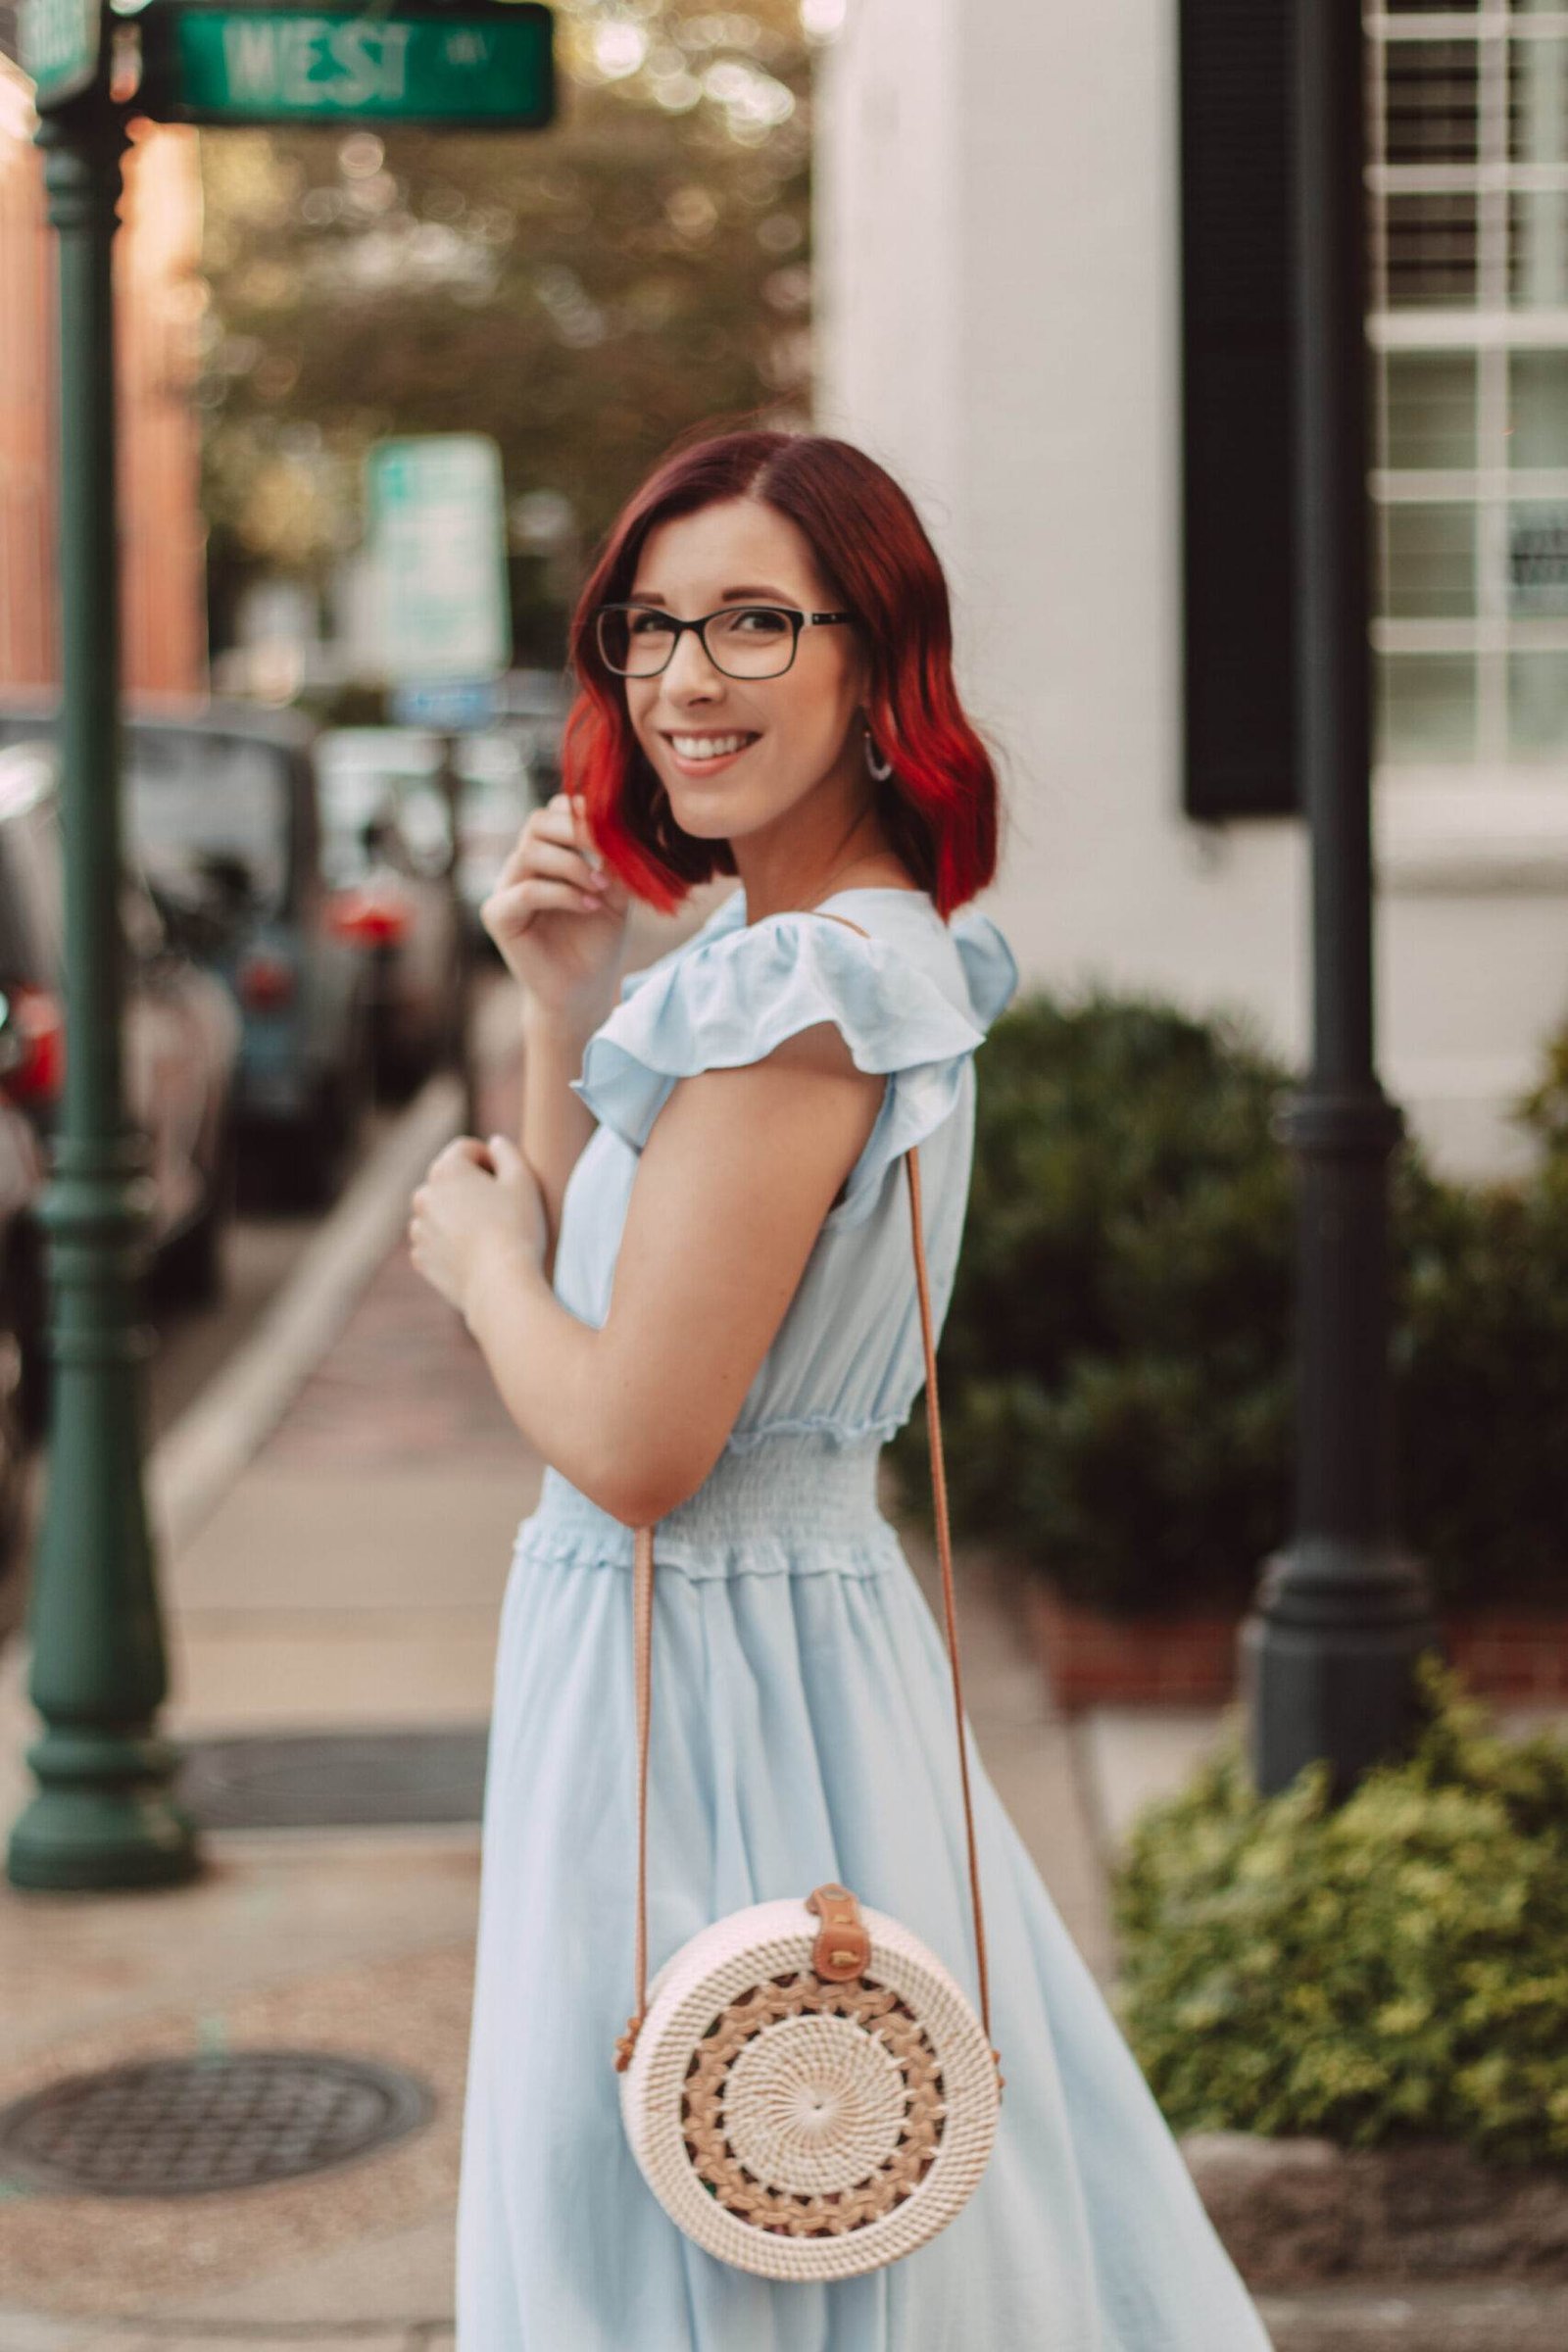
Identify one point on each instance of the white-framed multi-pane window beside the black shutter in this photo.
(1468, 293)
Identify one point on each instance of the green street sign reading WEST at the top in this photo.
(476, 65)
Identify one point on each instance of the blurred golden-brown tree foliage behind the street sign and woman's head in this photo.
(582, 293)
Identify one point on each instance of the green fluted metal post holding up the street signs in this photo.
(105, 1812)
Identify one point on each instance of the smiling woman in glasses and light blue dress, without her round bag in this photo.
(695, 1292)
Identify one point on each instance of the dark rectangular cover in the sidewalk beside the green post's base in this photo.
(335, 1779)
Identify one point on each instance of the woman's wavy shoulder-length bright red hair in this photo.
(942, 801)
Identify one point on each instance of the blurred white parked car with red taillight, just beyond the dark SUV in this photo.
(384, 855)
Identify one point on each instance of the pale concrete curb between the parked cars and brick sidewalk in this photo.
(210, 1445)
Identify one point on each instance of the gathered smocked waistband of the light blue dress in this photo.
(786, 1506)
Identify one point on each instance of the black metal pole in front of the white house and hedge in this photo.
(1343, 1612)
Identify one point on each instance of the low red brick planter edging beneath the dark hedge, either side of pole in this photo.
(1094, 1659)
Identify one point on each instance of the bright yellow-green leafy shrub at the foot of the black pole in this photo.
(1391, 1967)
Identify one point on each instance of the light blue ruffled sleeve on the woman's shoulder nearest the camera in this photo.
(732, 998)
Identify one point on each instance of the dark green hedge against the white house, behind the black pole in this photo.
(1118, 1358)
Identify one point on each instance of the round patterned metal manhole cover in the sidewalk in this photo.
(185, 2127)
